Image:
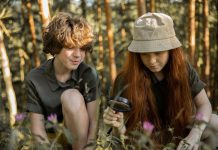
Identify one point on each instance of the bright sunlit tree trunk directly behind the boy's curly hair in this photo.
(45, 16)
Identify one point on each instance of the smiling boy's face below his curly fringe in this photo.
(71, 58)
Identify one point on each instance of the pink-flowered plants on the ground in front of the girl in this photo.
(142, 139)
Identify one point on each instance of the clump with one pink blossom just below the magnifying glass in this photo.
(140, 141)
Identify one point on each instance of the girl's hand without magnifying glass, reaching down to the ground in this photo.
(191, 142)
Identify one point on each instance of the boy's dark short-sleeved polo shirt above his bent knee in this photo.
(44, 90)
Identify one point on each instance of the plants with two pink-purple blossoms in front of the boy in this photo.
(20, 137)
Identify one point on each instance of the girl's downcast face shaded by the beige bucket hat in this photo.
(155, 61)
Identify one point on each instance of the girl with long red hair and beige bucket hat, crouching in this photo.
(161, 86)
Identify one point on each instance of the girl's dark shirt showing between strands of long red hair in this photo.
(159, 88)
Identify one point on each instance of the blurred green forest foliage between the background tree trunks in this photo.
(124, 12)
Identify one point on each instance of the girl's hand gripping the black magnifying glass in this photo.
(114, 119)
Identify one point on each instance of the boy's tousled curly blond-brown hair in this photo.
(64, 30)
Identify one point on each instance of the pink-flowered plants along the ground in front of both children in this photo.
(20, 137)
